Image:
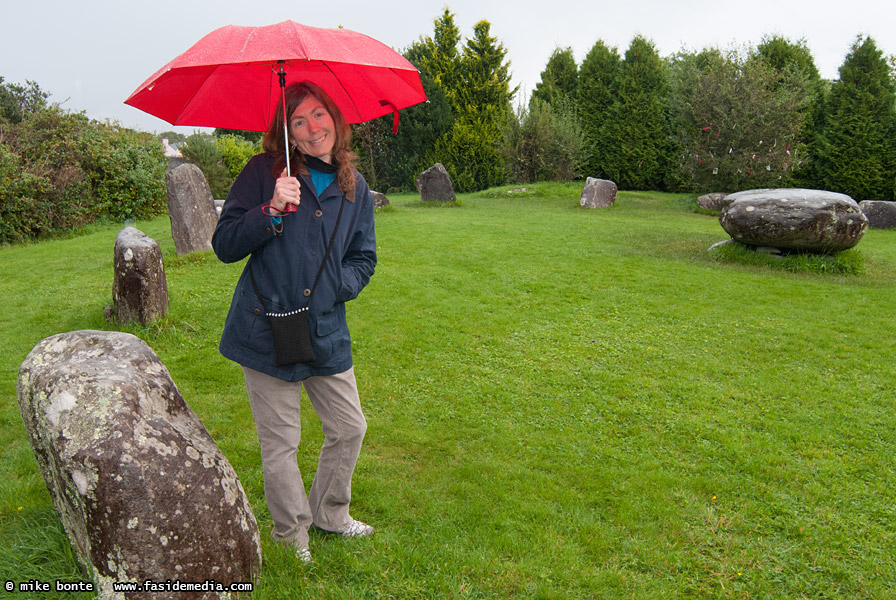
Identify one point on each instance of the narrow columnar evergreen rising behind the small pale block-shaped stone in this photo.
(596, 93)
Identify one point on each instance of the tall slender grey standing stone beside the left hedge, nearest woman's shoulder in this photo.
(191, 209)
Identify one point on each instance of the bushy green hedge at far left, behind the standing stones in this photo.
(61, 170)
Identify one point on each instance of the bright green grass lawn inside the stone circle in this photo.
(562, 403)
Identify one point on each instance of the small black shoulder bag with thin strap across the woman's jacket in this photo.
(291, 330)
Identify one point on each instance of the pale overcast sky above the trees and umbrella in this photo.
(91, 54)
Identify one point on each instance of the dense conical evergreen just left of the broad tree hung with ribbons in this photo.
(637, 128)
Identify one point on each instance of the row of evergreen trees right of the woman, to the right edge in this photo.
(713, 120)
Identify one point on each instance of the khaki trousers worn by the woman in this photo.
(276, 410)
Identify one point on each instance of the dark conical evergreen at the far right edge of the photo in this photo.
(856, 154)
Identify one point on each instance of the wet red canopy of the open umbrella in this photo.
(229, 78)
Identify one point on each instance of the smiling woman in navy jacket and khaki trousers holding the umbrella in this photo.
(286, 251)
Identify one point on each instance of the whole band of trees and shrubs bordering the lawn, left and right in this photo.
(702, 121)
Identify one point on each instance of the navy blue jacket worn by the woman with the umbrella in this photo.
(285, 266)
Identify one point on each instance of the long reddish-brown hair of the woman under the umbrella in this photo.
(343, 156)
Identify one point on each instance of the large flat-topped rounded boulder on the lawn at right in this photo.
(794, 219)
